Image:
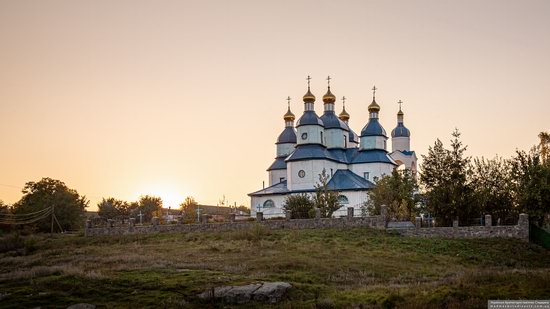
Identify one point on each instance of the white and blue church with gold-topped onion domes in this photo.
(353, 162)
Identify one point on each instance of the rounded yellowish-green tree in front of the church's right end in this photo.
(398, 192)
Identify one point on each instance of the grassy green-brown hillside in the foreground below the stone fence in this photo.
(328, 268)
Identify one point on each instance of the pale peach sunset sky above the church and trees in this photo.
(178, 98)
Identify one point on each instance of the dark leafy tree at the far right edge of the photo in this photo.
(531, 184)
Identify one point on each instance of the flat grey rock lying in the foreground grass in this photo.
(270, 292)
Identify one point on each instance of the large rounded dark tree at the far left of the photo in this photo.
(69, 206)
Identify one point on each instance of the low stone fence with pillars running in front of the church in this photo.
(521, 230)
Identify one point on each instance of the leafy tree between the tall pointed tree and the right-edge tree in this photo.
(492, 185)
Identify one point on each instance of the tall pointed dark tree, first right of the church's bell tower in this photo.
(445, 176)
